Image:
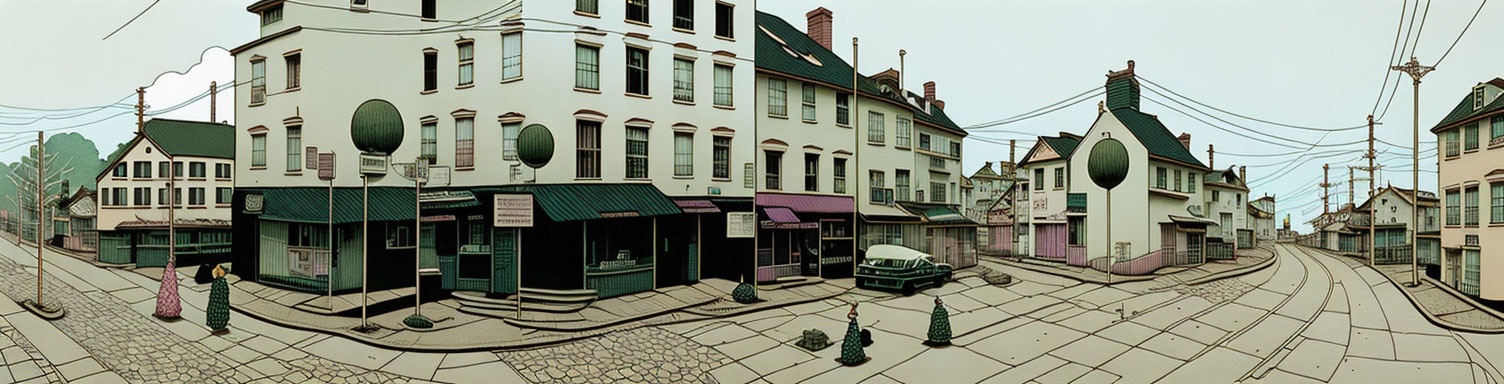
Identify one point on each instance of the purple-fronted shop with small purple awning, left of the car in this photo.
(804, 236)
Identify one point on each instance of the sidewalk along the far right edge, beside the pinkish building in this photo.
(1440, 303)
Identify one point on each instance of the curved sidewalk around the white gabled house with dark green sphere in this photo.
(1248, 261)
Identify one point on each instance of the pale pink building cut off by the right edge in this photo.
(1470, 141)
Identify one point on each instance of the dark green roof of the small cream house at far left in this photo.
(193, 139)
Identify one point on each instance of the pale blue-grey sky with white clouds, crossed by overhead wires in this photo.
(1308, 64)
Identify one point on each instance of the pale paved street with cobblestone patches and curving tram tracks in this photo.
(1311, 318)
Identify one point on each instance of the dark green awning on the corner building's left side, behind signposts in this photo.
(312, 206)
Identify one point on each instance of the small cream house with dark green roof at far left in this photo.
(133, 206)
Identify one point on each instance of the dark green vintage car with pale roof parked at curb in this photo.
(900, 269)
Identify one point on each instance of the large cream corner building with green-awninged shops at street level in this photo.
(635, 157)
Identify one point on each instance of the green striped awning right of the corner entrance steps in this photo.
(572, 203)
